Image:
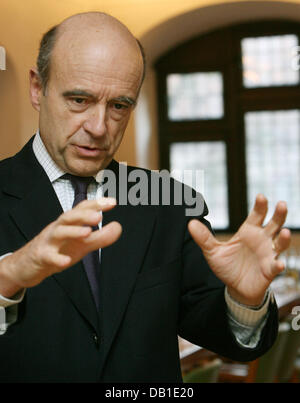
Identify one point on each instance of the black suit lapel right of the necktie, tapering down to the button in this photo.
(121, 263)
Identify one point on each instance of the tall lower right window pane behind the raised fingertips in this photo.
(273, 159)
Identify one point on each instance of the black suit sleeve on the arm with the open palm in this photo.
(204, 312)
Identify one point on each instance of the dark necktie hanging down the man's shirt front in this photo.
(91, 260)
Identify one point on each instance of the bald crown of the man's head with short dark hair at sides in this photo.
(75, 33)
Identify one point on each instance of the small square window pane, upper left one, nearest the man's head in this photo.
(195, 96)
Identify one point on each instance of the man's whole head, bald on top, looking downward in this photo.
(90, 70)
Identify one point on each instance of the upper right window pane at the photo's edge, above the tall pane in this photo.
(268, 61)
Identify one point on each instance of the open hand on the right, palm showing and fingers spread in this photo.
(247, 263)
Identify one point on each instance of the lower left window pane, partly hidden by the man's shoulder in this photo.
(208, 160)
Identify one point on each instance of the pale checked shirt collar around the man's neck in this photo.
(52, 170)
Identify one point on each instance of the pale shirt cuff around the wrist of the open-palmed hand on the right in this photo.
(246, 315)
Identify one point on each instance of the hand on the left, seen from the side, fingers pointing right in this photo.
(61, 244)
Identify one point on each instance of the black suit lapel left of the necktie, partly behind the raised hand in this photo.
(37, 207)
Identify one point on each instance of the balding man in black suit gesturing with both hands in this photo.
(154, 281)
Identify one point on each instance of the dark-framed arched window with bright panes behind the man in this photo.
(229, 106)
